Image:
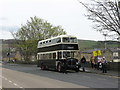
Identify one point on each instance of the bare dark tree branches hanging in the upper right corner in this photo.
(105, 14)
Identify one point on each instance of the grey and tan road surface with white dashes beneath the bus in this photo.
(30, 76)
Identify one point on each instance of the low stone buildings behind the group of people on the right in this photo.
(111, 54)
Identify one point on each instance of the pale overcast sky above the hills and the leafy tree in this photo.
(66, 13)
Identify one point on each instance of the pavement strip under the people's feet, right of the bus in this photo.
(96, 71)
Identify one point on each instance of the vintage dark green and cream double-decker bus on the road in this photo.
(53, 53)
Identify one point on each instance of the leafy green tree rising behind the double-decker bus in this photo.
(34, 30)
